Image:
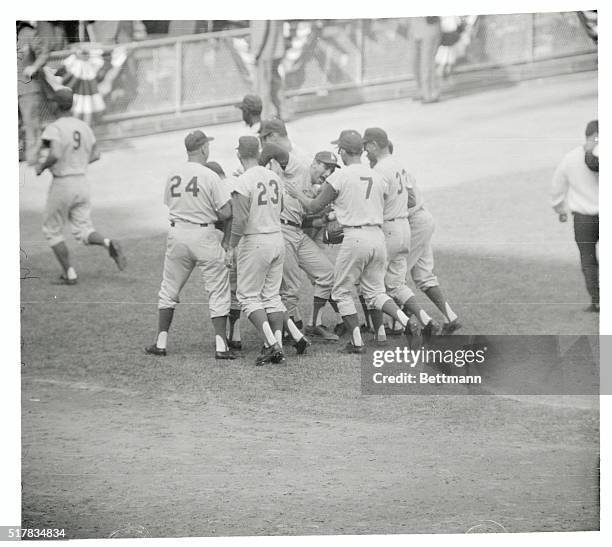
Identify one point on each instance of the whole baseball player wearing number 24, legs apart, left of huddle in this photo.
(196, 199)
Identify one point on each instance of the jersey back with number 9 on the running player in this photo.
(74, 141)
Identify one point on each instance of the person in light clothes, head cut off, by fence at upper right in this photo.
(426, 37)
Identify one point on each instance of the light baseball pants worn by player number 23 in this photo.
(260, 272)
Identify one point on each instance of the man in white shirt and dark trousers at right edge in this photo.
(575, 188)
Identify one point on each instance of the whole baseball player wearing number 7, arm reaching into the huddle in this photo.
(359, 196)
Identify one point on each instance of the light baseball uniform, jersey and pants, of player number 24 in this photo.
(193, 195)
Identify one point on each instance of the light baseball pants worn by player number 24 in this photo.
(189, 246)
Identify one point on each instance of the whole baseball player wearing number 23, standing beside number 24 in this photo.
(257, 247)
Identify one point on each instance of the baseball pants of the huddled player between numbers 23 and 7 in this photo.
(302, 253)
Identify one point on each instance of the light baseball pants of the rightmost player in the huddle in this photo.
(420, 262)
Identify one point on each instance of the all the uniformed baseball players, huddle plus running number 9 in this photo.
(253, 233)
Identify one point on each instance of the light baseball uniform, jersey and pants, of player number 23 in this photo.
(261, 249)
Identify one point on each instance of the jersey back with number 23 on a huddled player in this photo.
(265, 190)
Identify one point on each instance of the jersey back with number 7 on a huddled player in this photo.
(361, 195)
